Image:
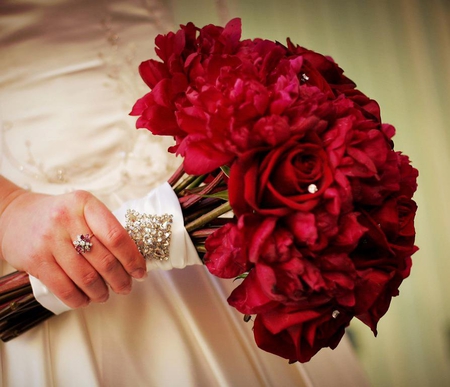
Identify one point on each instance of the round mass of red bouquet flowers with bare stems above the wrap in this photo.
(291, 184)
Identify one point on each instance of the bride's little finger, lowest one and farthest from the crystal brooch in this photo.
(57, 281)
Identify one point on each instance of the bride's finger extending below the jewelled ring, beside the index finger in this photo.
(108, 267)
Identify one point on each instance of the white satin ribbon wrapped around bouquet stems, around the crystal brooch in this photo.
(162, 200)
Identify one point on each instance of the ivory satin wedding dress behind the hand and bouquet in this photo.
(68, 78)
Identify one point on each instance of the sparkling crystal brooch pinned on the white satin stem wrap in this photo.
(151, 233)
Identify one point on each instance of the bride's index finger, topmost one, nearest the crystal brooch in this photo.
(114, 237)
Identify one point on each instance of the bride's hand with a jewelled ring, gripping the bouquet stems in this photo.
(37, 233)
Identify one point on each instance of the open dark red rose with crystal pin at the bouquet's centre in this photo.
(278, 181)
